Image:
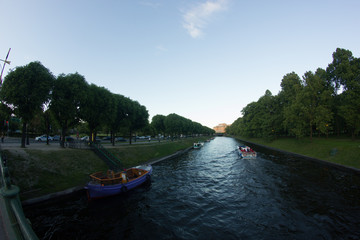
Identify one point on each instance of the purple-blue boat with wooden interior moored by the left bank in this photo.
(111, 183)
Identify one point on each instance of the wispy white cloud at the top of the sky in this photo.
(197, 17)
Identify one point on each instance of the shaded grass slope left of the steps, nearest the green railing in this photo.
(44, 171)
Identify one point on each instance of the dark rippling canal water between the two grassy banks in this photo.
(213, 194)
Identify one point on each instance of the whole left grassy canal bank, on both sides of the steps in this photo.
(40, 172)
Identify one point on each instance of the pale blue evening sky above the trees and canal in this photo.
(203, 60)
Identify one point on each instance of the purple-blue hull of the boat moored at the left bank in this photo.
(98, 191)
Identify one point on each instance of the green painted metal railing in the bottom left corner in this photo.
(15, 224)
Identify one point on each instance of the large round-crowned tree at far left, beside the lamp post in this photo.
(25, 89)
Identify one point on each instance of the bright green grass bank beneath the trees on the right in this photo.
(342, 151)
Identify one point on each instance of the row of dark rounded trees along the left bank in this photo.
(34, 95)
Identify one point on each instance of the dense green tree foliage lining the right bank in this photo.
(307, 106)
